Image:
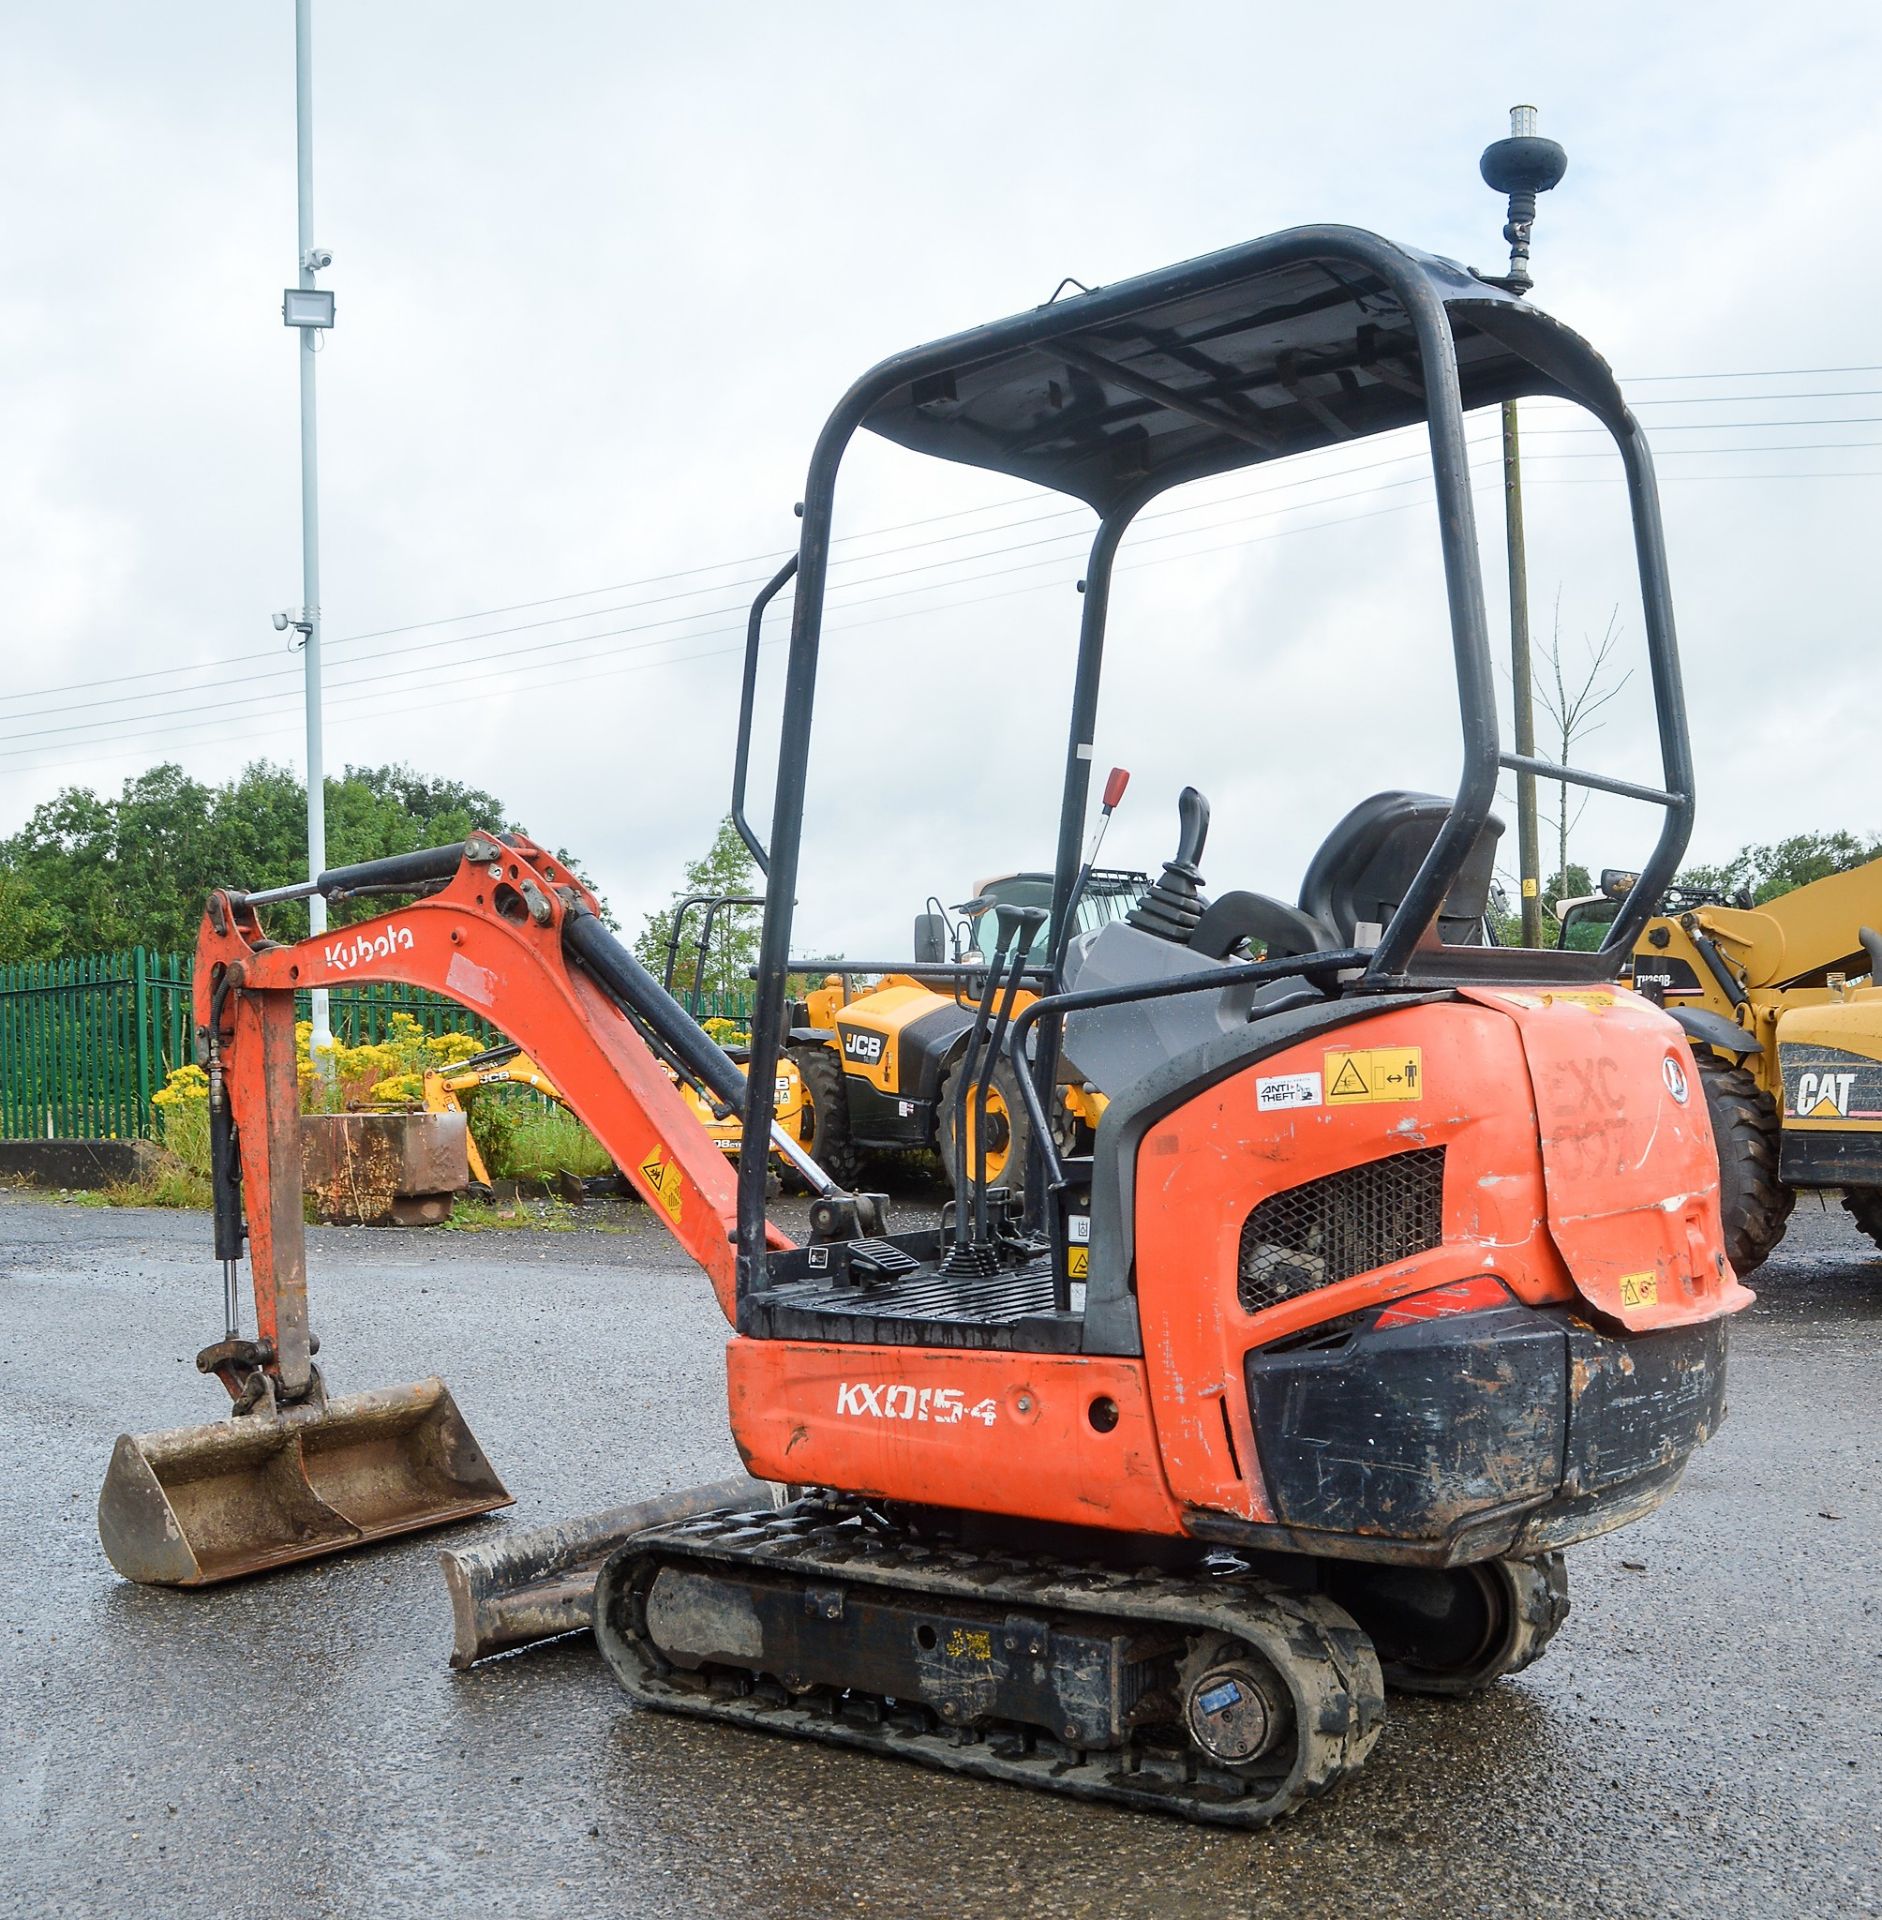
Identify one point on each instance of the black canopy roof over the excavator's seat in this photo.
(1130, 389)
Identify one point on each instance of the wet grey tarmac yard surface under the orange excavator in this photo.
(1704, 1739)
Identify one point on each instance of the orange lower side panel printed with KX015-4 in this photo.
(996, 1433)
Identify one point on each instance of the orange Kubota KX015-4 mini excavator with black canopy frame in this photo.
(1393, 1270)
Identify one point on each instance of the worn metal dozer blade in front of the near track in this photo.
(539, 1583)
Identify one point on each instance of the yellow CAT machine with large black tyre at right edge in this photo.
(1783, 1005)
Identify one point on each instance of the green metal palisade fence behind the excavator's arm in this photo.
(85, 1044)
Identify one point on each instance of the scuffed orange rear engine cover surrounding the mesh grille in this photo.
(1541, 1212)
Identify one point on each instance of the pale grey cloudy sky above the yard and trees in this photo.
(604, 270)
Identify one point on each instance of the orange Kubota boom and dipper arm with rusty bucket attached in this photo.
(502, 930)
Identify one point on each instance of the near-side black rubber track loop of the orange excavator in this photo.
(1324, 1658)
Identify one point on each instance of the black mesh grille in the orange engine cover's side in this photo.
(1345, 1224)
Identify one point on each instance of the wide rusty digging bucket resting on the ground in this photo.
(205, 1504)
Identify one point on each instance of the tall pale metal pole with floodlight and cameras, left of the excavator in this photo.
(310, 310)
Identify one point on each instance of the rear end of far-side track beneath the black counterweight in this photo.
(1460, 1629)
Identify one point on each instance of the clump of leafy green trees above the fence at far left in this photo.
(93, 875)
